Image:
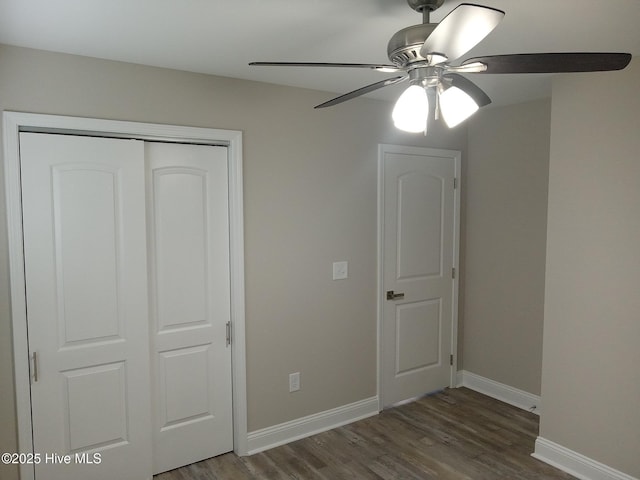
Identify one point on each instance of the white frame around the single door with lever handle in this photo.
(455, 157)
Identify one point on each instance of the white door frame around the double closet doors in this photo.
(16, 122)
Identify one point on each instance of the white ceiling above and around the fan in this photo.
(221, 37)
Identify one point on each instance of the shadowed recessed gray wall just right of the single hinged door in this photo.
(505, 243)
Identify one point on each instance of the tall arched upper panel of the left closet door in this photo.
(86, 232)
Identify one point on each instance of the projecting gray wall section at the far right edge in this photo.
(590, 375)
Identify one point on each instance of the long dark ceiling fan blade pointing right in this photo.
(551, 62)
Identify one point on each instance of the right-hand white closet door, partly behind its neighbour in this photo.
(188, 215)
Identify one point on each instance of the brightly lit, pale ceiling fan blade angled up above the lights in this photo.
(461, 30)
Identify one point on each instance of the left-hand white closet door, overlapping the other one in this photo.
(86, 289)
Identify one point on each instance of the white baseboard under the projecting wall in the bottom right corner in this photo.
(574, 463)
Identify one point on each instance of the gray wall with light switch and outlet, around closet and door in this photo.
(310, 182)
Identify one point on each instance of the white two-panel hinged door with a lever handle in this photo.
(418, 217)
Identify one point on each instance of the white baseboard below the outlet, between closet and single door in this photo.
(266, 438)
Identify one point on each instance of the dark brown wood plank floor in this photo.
(454, 434)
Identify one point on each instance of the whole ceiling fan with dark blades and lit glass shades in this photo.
(424, 52)
